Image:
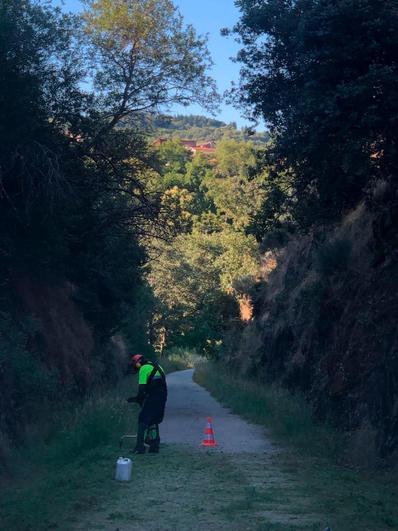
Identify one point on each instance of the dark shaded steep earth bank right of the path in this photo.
(324, 323)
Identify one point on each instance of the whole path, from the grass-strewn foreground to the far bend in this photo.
(237, 486)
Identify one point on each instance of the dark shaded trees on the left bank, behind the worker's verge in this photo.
(71, 214)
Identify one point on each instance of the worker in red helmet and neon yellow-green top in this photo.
(152, 396)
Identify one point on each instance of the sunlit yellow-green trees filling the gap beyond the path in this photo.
(194, 275)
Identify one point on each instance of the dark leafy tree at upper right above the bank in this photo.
(324, 76)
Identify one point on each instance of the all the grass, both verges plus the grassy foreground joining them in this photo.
(67, 480)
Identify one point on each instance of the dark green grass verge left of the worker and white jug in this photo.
(64, 473)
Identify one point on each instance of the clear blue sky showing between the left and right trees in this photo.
(208, 17)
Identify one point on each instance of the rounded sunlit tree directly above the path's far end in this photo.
(192, 278)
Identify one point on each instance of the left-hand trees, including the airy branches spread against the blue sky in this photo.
(76, 180)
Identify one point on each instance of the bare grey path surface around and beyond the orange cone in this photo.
(188, 407)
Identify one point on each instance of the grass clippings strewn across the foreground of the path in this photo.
(191, 490)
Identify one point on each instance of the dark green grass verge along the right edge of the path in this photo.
(310, 458)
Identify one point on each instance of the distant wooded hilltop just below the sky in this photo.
(201, 128)
